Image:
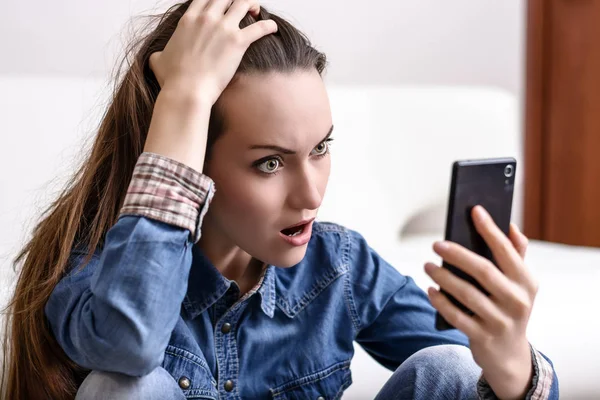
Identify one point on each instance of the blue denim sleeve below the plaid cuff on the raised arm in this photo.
(126, 318)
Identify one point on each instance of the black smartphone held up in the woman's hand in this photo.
(486, 182)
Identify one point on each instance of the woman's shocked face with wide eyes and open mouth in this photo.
(271, 165)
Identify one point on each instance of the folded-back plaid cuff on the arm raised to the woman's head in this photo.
(169, 191)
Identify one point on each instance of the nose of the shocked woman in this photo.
(305, 193)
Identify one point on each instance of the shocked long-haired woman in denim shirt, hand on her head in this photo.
(184, 259)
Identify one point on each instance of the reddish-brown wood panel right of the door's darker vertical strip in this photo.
(571, 134)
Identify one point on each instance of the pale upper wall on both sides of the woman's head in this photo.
(379, 41)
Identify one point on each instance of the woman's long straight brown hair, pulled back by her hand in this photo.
(35, 366)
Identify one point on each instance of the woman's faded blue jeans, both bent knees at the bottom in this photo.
(437, 372)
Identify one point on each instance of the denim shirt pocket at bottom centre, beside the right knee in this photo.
(326, 384)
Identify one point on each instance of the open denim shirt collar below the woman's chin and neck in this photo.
(206, 285)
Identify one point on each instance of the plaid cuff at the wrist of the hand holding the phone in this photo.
(543, 374)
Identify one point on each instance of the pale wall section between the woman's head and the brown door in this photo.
(425, 41)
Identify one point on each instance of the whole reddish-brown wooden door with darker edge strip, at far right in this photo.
(562, 122)
